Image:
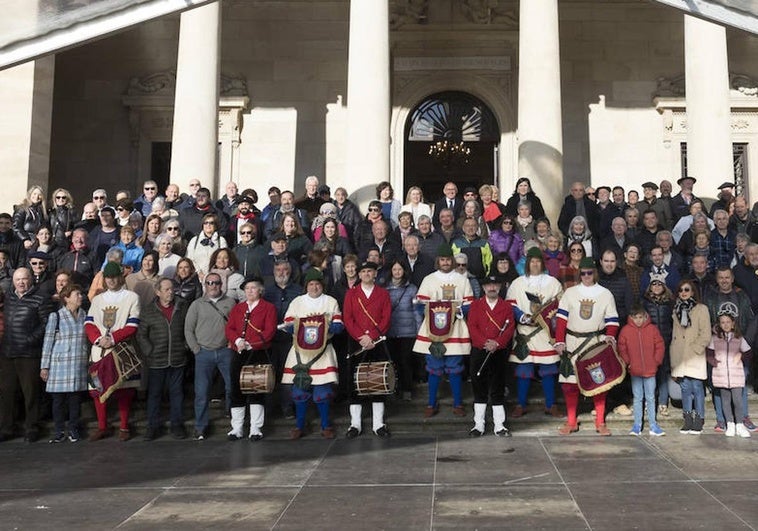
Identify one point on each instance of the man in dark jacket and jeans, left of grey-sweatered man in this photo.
(161, 340)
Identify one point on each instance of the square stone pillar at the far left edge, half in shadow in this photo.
(26, 111)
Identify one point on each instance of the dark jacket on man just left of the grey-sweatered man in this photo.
(162, 341)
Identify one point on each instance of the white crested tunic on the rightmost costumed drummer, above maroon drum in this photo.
(586, 309)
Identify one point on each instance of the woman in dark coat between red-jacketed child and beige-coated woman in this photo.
(659, 303)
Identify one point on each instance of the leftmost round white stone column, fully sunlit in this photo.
(195, 130)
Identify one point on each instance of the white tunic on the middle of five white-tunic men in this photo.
(439, 286)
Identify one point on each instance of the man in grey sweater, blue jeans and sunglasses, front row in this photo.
(205, 332)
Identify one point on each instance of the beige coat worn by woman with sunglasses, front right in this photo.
(688, 345)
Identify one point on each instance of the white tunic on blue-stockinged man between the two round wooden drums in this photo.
(324, 370)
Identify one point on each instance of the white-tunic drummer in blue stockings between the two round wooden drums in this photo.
(311, 365)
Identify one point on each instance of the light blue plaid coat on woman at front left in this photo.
(65, 352)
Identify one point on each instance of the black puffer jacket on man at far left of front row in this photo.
(25, 322)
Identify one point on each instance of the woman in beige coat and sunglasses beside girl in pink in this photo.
(691, 335)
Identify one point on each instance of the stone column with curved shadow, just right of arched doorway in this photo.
(540, 133)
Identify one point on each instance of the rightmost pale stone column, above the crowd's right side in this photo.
(709, 136)
